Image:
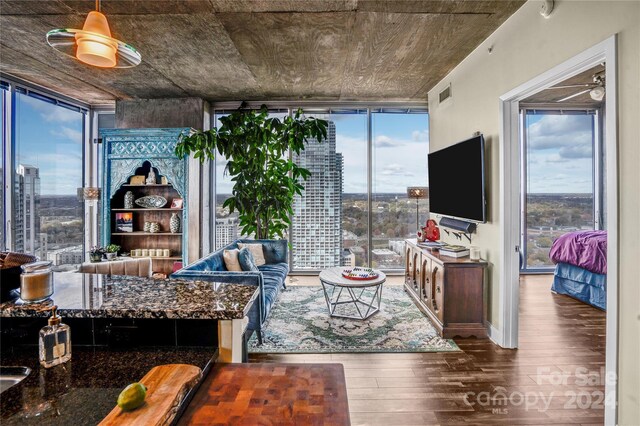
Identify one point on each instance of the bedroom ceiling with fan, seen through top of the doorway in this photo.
(583, 81)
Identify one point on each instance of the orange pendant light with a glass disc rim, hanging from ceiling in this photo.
(93, 44)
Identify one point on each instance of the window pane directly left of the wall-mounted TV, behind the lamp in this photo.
(400, 147)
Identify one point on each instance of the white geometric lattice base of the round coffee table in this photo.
(355, 296)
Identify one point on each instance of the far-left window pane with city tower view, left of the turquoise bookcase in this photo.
(48, 149)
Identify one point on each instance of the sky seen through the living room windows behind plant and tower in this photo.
(401, 144)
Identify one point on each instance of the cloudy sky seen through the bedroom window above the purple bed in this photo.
(559, 153)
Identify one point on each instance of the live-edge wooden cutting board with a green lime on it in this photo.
(166, 387)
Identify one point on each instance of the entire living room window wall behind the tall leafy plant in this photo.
(354, 211)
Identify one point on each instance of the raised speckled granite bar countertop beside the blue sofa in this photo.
(103, 296)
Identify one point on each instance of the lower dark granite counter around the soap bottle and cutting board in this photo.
(85, 389)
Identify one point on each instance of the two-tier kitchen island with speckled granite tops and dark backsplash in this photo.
(121, 327)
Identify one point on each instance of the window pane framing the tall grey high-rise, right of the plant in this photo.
(330, 220)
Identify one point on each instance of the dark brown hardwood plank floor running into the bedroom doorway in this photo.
(554, 373)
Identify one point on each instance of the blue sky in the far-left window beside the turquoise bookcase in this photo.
(50, 138)
